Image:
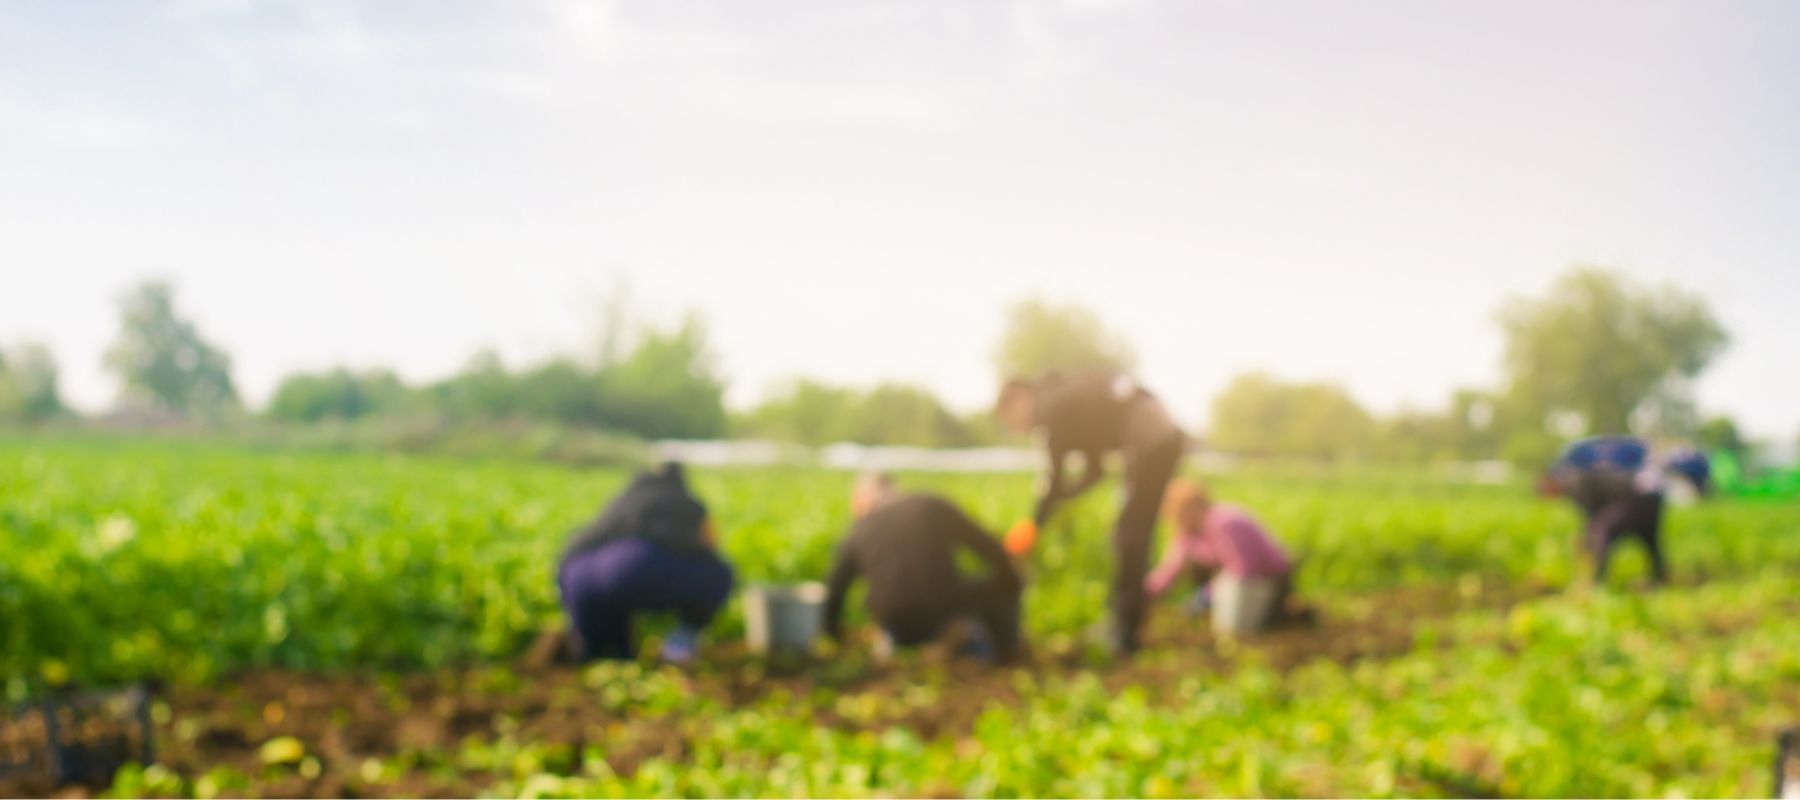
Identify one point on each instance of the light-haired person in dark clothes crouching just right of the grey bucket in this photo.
(904, 545)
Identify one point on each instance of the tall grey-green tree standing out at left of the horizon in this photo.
(163, 359)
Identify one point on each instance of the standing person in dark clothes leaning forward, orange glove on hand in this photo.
(1093, 415)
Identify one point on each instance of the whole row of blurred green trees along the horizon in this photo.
(1596, 354)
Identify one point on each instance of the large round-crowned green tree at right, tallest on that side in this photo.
(1608, 352)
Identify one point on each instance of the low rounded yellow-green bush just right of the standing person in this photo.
(1259, 415)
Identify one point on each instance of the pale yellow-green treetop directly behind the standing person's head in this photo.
(1043, 336)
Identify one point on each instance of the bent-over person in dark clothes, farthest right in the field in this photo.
(1619, 493)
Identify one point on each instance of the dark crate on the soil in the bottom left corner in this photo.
(78, 738)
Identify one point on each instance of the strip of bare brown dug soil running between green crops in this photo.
(346, 720)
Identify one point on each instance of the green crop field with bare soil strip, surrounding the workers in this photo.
(1461, 653)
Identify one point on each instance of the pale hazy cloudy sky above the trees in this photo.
(858, 190)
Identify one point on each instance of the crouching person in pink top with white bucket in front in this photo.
(1250, 572)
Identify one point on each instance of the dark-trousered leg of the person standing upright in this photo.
(1131, 541)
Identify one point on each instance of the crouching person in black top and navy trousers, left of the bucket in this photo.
(654, 549)
